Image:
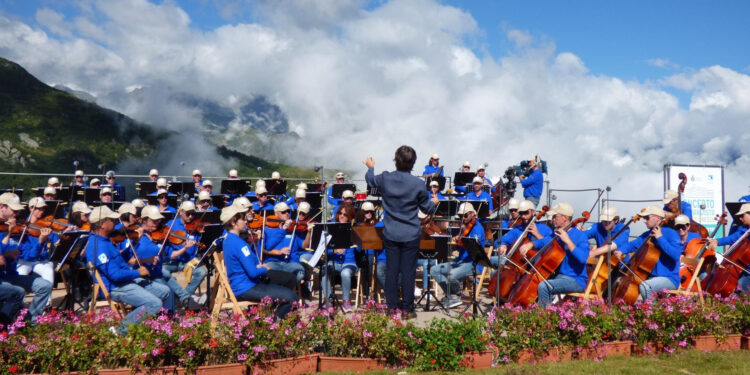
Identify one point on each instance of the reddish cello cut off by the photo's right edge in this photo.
(724, 277)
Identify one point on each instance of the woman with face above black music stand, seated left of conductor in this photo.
(341, 262)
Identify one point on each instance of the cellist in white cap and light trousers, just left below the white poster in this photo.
(666, 273)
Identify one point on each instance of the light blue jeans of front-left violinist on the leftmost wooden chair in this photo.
(146, 297)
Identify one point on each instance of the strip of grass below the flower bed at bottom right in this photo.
(687, 362)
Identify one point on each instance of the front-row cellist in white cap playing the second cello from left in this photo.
(571, 275)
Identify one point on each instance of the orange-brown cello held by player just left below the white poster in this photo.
(639, 267)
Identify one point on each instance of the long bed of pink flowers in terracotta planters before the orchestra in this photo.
(63, 342)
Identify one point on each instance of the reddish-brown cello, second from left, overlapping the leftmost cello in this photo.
(543, 264)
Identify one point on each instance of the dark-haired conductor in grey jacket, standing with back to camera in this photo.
(403, 196)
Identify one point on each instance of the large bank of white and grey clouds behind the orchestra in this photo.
(358, 81)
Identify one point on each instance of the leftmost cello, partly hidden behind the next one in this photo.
(515, 266)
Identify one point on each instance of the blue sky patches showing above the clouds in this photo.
(616, 38)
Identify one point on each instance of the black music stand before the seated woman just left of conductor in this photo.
(341, 238)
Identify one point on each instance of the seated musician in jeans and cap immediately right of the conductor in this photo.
(450, 274)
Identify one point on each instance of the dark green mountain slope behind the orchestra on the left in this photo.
(44, 129)
